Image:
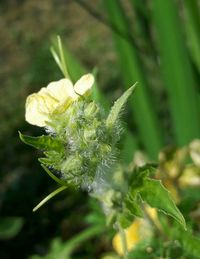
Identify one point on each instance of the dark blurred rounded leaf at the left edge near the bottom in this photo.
(10, 227)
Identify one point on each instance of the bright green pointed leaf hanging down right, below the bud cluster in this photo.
(157, 196)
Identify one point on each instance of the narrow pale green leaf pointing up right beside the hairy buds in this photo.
(118, 105)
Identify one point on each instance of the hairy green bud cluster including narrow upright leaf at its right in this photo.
(89, 141)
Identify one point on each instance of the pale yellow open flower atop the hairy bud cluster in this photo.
(55, 98)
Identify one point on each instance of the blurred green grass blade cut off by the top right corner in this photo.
(192, 24)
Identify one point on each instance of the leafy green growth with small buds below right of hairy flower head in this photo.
(124, 201)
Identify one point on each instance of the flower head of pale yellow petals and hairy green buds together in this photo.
(87, 146)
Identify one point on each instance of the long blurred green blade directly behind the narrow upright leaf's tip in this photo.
(132, 71)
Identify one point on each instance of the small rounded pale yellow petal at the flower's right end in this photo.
(84, 84)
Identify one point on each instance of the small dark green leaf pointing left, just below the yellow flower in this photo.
(43, 142)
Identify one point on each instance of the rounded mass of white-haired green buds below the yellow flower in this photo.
(89, 144)
